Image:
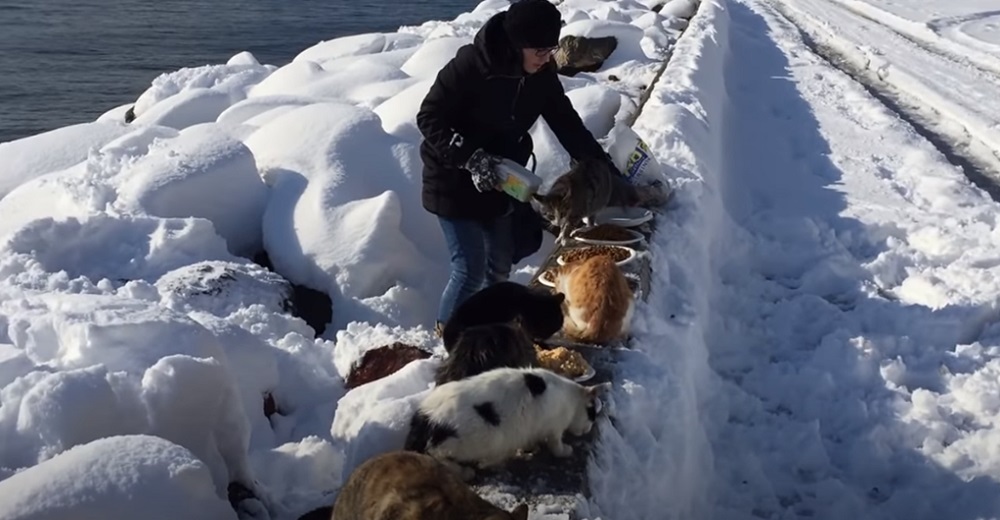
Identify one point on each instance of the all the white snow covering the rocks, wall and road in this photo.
(820, 340)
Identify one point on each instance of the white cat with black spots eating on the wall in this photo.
(486, 419)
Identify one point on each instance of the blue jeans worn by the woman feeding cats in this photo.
(481, 254)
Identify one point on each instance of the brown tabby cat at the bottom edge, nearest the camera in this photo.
(404, 485)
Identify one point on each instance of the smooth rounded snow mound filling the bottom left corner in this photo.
(130, 476)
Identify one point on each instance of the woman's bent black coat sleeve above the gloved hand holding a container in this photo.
(447, 98)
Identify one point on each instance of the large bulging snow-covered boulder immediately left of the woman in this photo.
(335, 221)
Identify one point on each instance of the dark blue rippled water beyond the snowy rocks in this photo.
(68, 61)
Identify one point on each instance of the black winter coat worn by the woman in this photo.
(483, 99)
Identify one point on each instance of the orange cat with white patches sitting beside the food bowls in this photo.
(598, 303)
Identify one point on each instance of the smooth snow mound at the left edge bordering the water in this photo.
(29, 158)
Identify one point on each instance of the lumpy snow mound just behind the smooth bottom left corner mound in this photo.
(128, 362)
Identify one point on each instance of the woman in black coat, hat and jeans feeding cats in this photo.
(479, 110)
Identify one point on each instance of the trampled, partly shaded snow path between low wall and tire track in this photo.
(839, 395)
